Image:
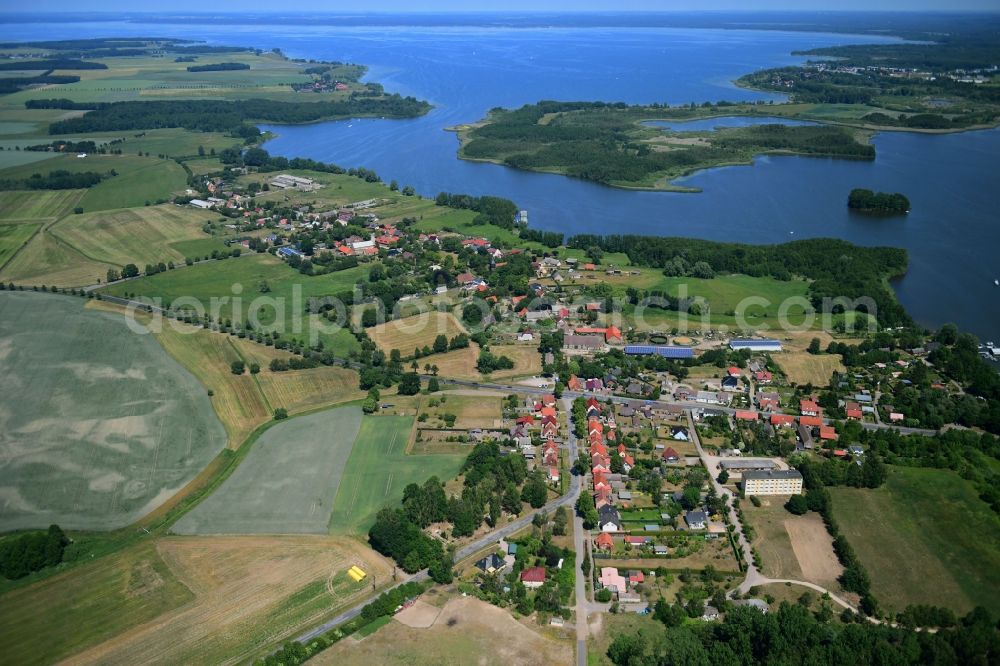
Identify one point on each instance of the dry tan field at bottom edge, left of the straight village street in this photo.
(467, 631)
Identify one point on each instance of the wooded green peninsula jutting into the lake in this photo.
(608, 144)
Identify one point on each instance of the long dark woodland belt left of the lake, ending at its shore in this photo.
(222, 116)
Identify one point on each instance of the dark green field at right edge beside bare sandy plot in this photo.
(925, 538)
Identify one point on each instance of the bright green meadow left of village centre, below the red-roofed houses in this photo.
(244, 276)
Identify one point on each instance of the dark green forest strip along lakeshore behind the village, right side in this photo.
(837, 268)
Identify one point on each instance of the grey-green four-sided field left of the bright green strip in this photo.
(287, 483)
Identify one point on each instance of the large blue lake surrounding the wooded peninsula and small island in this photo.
(952, 233)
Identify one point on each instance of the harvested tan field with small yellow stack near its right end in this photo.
(251, 593)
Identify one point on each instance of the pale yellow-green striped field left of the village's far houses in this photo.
(135, 235)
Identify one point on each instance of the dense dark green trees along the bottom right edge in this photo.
(793, 635)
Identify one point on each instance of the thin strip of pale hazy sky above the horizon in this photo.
(509, 5)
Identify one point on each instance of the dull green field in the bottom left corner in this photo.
(107, 596)
